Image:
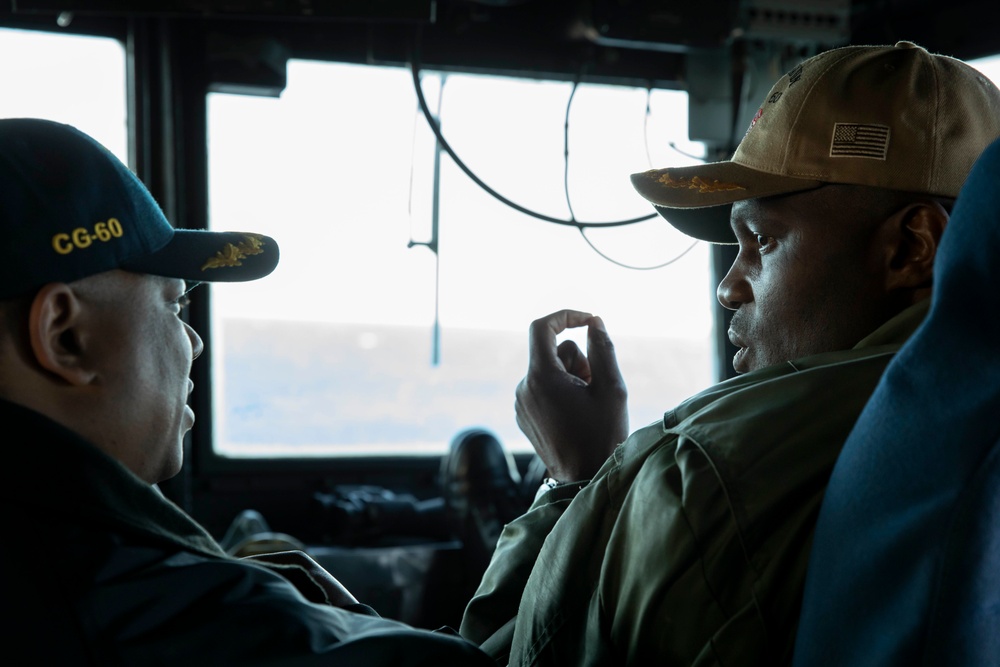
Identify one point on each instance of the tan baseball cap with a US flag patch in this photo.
(893, 117)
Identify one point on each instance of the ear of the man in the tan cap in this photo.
(917, 230)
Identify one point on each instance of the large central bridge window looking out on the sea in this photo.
(398, 315)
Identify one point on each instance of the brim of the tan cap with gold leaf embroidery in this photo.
(697, 200)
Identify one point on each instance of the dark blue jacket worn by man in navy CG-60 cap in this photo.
(98, 568)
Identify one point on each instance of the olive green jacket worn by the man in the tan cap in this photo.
(689, 546)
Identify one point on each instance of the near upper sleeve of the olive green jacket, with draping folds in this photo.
(645, 566)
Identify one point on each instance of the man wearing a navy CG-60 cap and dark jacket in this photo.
(94, 366)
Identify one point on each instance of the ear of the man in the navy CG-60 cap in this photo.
(54, 333)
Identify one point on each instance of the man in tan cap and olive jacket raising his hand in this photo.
(687, 543)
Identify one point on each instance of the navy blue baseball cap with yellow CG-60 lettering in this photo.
(70, 209)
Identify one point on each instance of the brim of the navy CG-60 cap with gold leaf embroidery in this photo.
(205, 256)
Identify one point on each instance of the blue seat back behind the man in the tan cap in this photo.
(905, 564)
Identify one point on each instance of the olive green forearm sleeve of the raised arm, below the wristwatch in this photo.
(489, 617)
